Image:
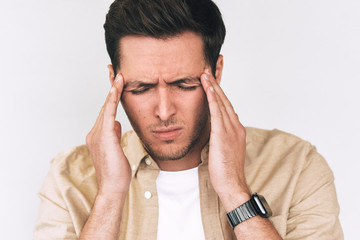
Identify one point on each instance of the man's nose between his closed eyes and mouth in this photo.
(165, 107)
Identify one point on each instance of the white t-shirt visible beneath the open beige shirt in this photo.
(179, 205)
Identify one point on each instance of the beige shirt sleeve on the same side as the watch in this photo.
(314, 210)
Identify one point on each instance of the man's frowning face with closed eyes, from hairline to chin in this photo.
(163, 96)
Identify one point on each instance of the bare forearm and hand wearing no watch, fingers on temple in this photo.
(112, 169)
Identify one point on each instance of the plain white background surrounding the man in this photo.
(291, 65)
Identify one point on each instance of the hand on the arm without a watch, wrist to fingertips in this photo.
(111, 165)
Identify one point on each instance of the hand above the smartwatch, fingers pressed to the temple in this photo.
(227, 146)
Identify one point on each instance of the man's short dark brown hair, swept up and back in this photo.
(162, 19)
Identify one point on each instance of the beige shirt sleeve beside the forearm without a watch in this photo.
(54, 220)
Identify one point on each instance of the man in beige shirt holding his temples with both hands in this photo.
(189, 161)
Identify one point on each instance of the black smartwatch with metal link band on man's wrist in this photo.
(257, 205)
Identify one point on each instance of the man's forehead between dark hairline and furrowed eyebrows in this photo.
(151, 58)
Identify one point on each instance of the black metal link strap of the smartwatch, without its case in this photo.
(242, 213)
